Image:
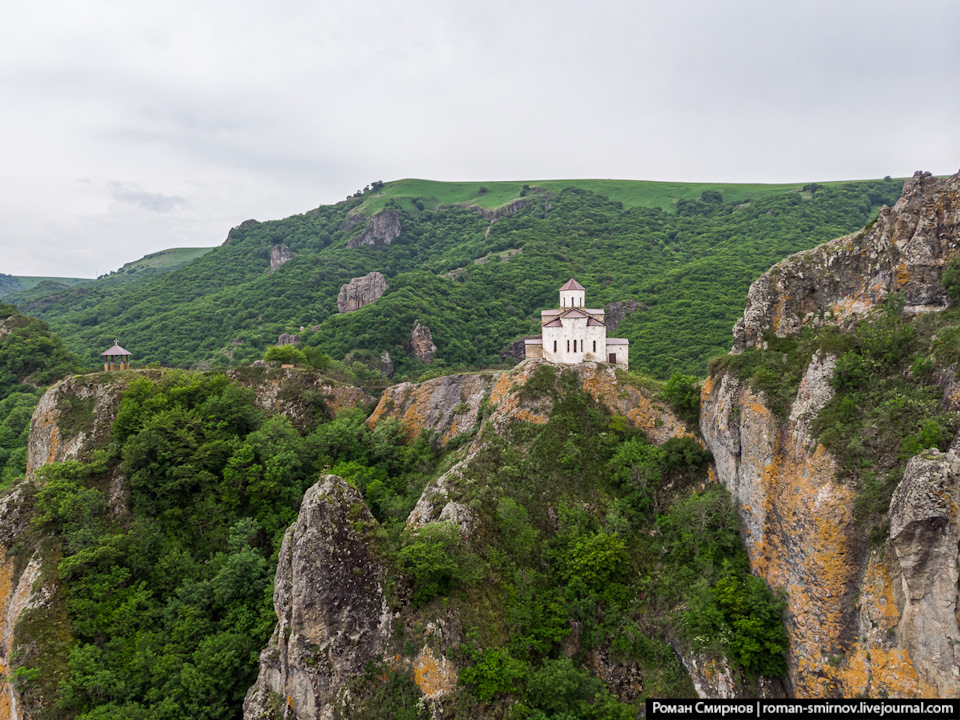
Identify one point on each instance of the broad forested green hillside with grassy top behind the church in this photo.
(687, 253)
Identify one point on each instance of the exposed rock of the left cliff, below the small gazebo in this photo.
(72, 419)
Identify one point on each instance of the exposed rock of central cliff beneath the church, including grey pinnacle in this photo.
(329, 585)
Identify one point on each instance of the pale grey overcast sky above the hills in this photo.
(128, 127)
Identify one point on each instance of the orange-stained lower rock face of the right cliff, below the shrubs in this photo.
(879, 622)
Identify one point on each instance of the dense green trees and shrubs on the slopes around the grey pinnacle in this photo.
(588, 544)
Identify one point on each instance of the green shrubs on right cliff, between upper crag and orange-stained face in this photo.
(889, 403)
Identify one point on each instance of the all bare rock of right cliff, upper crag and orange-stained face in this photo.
(863, 618)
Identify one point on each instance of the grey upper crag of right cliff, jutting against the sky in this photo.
(905, 250)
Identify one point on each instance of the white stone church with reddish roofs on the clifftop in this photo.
(574, 333)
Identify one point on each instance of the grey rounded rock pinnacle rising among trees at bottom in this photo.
(332, 611)
